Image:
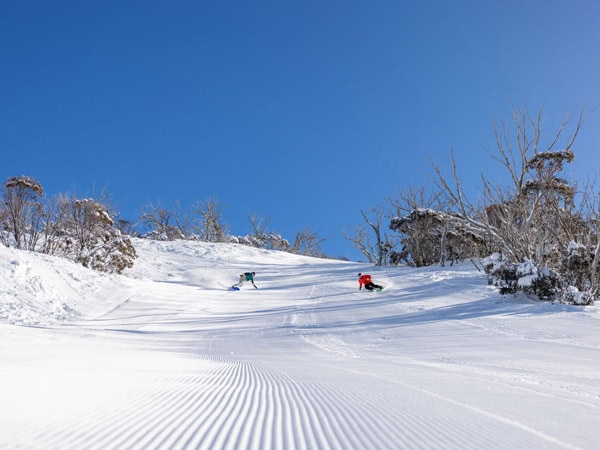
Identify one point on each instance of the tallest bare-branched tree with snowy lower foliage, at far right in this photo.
(535, 218)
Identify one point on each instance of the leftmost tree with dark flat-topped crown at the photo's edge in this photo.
(21, 212)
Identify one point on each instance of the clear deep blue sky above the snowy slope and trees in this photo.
(304, 112)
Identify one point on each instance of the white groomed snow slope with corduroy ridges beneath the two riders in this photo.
(165, 357)
